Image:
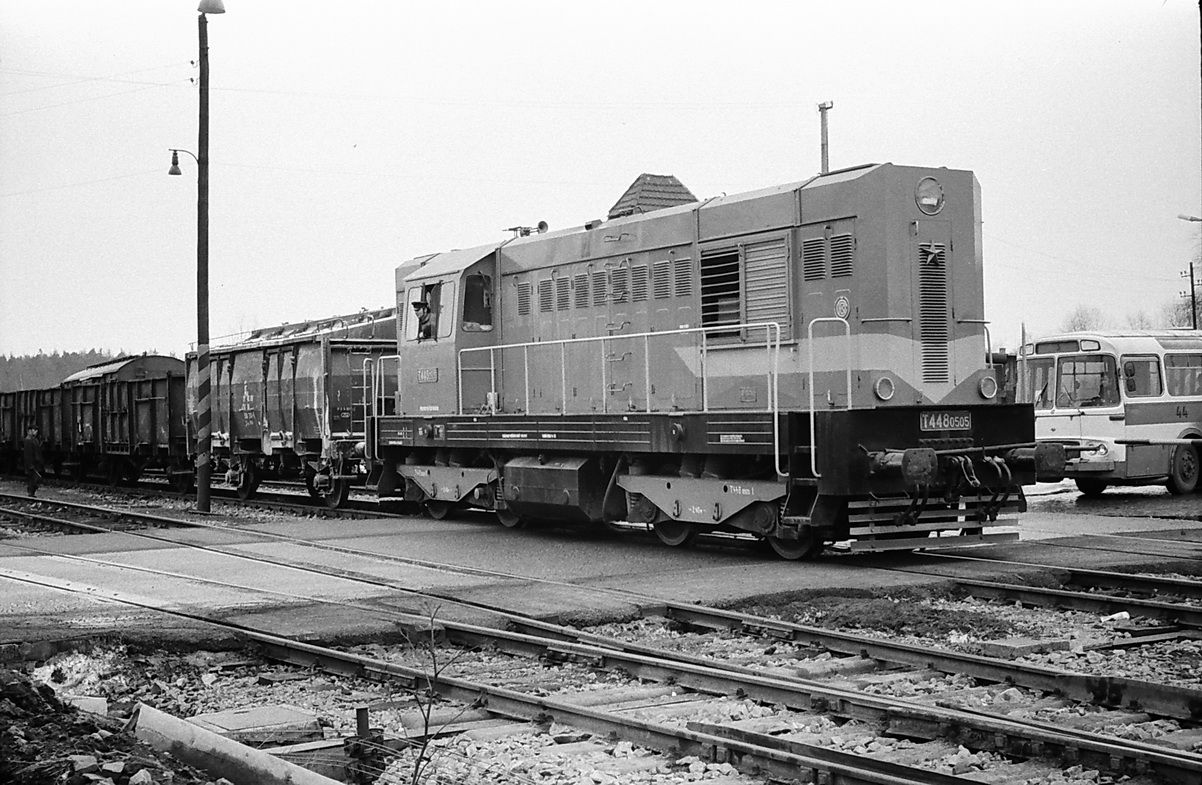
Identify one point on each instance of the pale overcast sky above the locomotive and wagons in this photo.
(350, 136)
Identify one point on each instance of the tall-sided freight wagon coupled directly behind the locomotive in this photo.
(290, 402)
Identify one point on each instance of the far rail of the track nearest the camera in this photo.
(551, 643)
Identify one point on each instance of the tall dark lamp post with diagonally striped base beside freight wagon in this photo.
(204, 383)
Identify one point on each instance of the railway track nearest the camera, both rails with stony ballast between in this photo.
(709, 689)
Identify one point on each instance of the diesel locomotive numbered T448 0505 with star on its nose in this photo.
(804, 366)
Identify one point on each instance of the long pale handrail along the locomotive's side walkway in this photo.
(772, 376)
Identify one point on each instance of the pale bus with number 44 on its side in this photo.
(1126, 405)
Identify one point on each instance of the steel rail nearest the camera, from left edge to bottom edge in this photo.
(838, 769)
